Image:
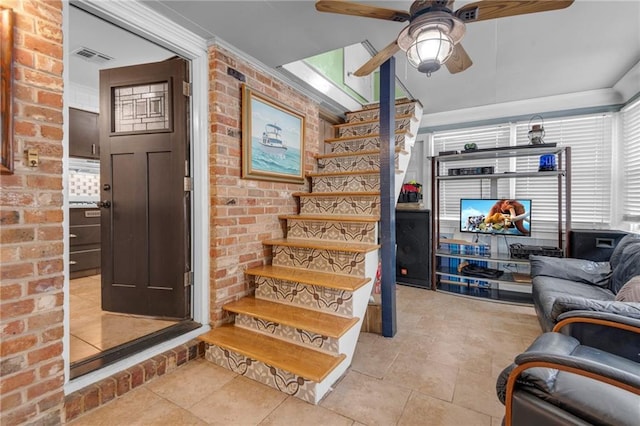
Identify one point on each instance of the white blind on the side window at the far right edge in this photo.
(631, 162)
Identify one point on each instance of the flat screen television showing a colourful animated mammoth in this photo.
(496, 216)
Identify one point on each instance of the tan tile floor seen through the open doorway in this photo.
(93, 330)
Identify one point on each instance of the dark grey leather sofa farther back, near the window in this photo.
(562, 285)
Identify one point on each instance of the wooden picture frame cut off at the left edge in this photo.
(6, 91)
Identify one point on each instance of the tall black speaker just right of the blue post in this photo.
(413, 241)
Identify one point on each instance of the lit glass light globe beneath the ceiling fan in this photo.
(430, 50)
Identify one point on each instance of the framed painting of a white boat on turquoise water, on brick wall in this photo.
(272, 139)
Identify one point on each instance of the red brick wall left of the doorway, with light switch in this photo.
(31, 317)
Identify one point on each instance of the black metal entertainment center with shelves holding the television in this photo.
(451, 257)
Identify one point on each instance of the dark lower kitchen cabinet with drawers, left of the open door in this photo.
(84, 242)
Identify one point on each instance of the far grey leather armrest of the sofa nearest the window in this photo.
(579, 270)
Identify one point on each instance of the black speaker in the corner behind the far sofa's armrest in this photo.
(593, 244)
